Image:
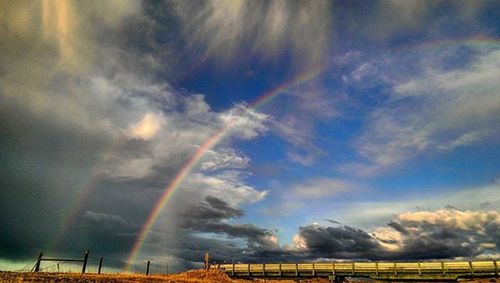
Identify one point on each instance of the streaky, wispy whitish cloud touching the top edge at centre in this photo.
(227, 27)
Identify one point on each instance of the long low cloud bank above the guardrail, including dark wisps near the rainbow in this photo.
(445, 234)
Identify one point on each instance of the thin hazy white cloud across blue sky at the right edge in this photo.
(439, 111)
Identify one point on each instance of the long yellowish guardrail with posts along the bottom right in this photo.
(430, 270)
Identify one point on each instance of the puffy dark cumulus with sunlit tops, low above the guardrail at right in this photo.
(444, 233)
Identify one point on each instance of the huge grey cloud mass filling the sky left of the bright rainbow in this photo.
(89, 131)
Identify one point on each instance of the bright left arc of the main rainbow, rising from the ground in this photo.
(213, 140)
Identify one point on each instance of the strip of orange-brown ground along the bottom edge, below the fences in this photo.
(202, 276)
